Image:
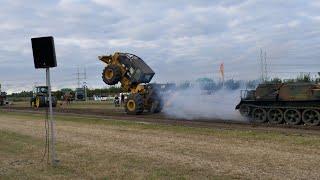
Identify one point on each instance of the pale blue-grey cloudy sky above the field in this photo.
(180, 40)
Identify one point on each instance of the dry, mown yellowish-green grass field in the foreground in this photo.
(92, 148)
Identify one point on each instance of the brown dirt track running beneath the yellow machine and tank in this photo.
(162, 119)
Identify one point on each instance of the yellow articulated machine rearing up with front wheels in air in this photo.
(134, 75)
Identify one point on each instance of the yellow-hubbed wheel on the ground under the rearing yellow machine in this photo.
(134, 104)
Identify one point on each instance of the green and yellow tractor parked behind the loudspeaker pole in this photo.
(40, 98)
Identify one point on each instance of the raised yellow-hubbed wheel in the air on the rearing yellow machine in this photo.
(111, 74)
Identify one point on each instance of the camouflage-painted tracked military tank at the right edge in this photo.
(276, 103)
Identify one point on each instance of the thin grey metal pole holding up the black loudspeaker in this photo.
(53, 140)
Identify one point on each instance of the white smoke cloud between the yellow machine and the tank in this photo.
(194, 103)
